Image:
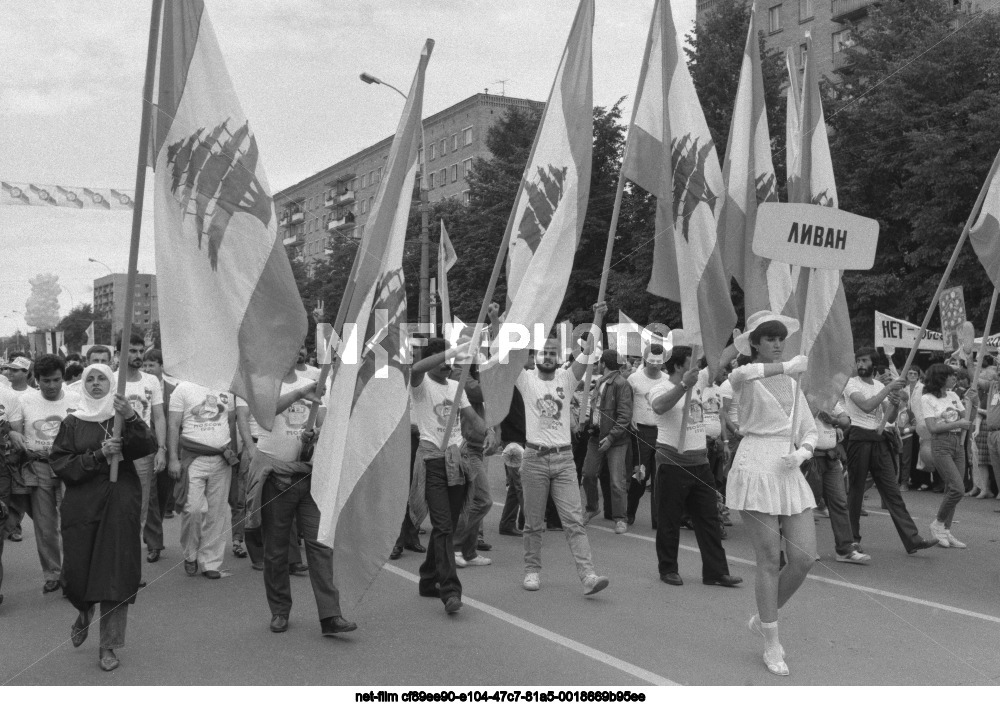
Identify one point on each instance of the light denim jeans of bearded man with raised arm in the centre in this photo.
(553, 473)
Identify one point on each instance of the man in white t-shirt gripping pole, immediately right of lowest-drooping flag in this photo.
(432, 394)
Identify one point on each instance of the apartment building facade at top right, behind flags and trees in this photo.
(786, 22)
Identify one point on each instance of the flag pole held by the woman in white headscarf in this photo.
(140, 188)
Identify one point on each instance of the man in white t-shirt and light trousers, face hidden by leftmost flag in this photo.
(201, 440)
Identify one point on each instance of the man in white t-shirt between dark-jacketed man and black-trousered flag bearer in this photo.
(642, 382)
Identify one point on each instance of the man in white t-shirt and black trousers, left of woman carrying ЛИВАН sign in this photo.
(684, 480)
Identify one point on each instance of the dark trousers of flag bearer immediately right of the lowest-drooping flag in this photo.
(444, 505)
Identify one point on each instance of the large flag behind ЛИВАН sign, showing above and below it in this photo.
(826, 325)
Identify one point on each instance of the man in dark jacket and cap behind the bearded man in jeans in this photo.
(610, 418)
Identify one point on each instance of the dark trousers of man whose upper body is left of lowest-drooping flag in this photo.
(280, 505)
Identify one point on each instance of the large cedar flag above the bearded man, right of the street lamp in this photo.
(544, 227)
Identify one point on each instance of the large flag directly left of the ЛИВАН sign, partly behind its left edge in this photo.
(749, 177)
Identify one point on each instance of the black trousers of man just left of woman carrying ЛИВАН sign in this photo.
(690, 489)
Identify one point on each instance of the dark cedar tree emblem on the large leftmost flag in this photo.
(220, 174)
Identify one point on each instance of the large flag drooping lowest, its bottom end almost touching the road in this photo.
(363, 453)
